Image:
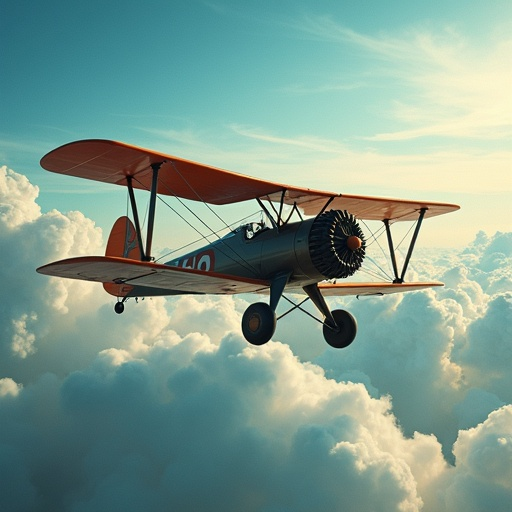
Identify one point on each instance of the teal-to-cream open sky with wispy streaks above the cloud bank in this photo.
(390, 99)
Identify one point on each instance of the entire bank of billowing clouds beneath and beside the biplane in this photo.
(167, 407)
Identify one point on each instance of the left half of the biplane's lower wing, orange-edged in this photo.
(156, 279)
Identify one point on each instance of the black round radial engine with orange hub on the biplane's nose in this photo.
(336, 244)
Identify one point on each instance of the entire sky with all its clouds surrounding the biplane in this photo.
(166, 406)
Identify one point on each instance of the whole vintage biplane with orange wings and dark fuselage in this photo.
(308, 242)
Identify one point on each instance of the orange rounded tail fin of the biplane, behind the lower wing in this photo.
(122, 243)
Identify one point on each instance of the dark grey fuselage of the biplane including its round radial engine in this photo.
(329, 246)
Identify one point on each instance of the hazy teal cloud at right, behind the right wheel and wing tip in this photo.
(452, 342)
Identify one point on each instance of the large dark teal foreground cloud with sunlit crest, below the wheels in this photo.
(238, 427)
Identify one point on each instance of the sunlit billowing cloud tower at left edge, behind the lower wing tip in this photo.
(30, 239)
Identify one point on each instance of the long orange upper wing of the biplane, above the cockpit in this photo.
(111, 162)
